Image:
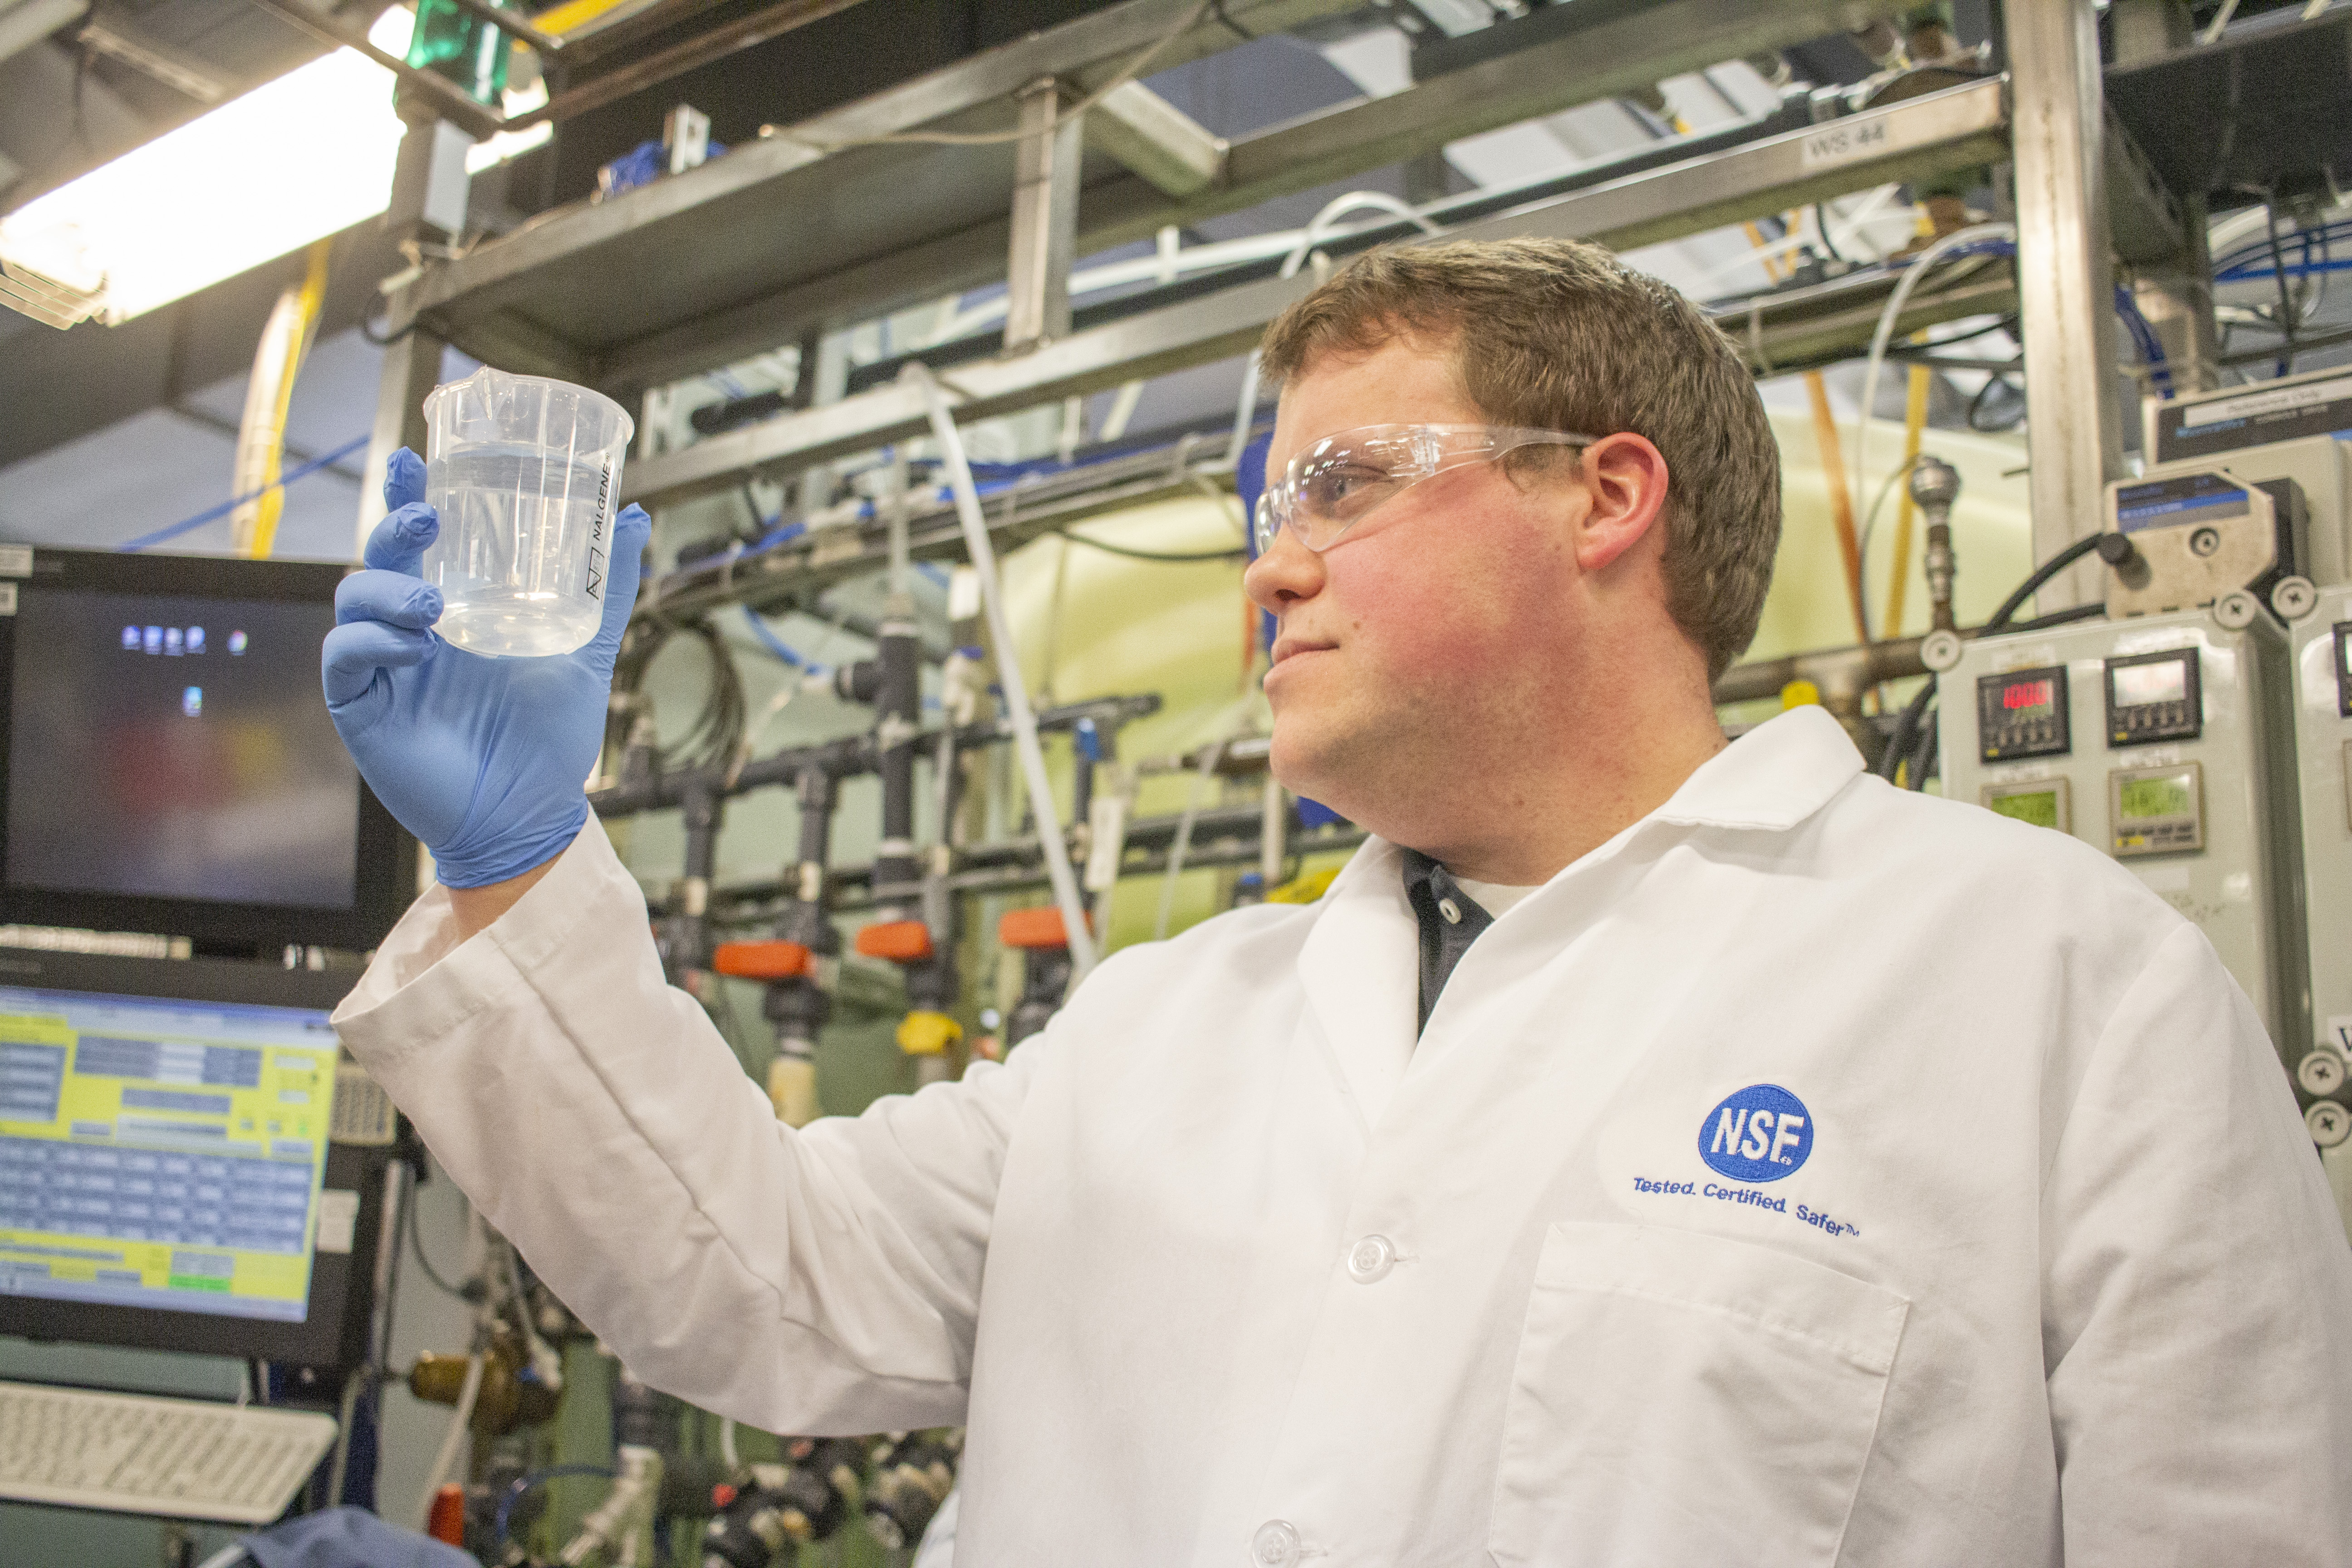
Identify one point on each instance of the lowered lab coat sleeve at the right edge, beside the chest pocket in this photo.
(2196, 1289)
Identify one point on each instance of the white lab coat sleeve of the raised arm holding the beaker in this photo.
(801, 1282)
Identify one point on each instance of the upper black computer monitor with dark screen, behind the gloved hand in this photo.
(168, 763)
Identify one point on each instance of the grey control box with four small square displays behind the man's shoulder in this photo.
(2160, 742)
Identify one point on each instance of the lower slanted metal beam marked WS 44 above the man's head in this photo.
(1902, 142)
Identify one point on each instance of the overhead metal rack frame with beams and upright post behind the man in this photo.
(747, 267)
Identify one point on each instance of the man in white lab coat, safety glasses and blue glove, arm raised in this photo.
(1652, 1151)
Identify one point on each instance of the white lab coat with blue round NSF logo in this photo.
(1227, 1268)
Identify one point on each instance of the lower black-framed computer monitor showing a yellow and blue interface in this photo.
(168, 1172)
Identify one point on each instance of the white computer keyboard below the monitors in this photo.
(180, 1459)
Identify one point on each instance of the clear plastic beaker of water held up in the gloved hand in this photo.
(526, 476)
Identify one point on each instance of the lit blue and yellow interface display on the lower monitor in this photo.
(161, 1153)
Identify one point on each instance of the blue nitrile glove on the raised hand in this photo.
(481, 758)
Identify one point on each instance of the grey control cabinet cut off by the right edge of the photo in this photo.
(2323, 737)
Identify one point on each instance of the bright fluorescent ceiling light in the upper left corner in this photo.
(255, 180)
